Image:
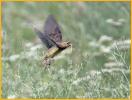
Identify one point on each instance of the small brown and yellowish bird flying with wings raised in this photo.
(51, 36)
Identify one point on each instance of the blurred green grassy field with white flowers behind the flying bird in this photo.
(97, 67)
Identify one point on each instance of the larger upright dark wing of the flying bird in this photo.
(52, 29)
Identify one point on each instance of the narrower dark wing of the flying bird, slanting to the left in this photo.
(44, 38)
